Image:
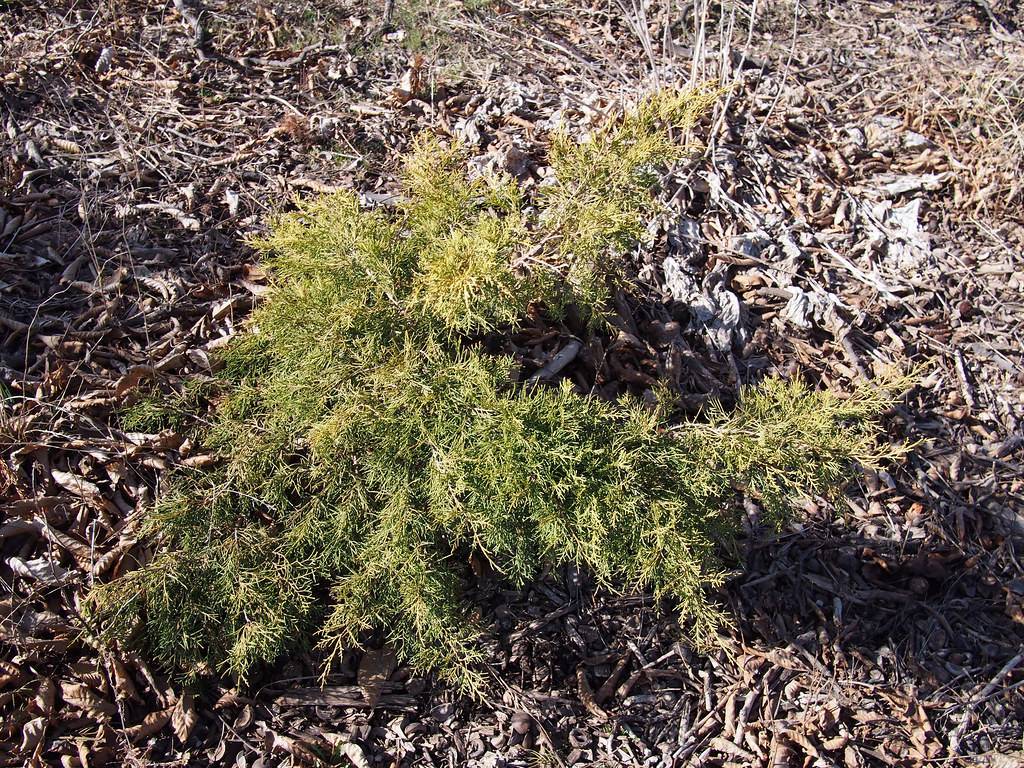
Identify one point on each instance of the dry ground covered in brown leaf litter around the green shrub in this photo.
(858, 210)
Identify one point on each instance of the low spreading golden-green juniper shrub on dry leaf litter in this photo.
(368, 445)
